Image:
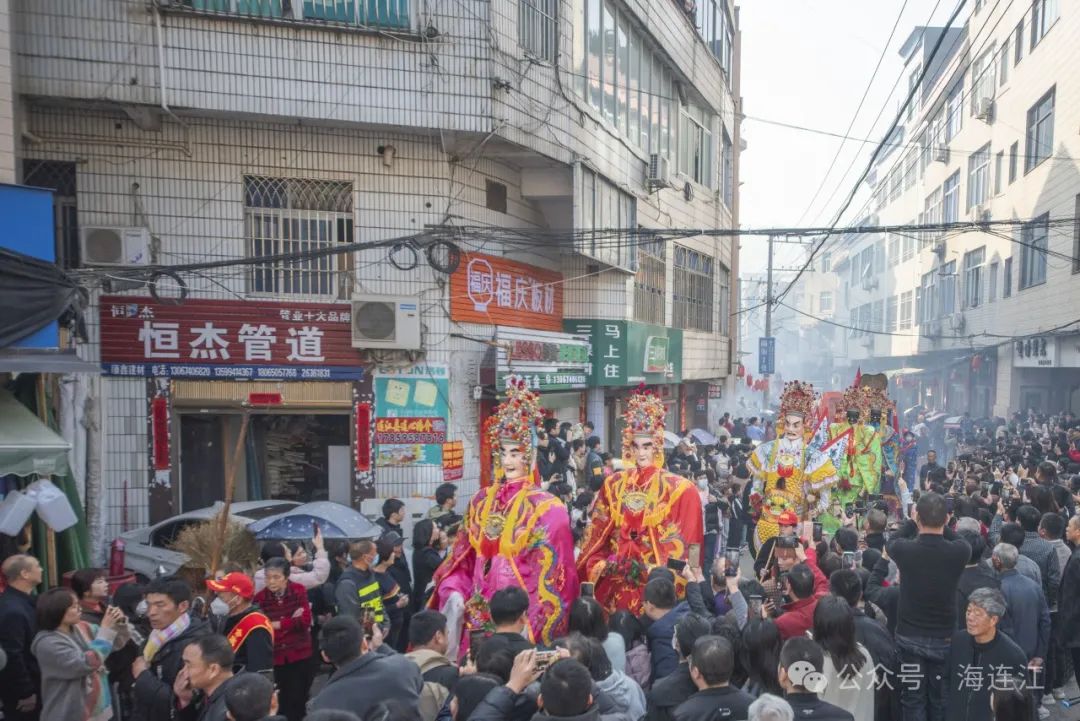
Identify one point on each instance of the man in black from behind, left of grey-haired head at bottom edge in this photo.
(712, 663)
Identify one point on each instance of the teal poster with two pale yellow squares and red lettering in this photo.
(412, 411)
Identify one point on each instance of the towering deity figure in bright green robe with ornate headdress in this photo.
(861, 469)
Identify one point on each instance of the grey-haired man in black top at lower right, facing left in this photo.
(980, 658)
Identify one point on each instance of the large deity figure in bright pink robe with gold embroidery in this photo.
(515, 535)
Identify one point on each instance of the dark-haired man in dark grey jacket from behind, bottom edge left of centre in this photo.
(363, 675)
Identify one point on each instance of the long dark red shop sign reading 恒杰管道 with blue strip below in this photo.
(228, 339)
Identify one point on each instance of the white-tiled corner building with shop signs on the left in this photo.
(537, 140)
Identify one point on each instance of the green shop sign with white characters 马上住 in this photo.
(628, 353)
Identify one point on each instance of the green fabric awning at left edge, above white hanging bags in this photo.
(28, 446)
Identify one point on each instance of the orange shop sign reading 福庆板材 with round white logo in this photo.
(494, 291)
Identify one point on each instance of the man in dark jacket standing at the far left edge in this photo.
(21, 679)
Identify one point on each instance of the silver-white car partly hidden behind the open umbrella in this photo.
(147, 550)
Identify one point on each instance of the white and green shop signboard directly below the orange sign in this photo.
(545, 361)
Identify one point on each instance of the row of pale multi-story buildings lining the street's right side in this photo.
(980, 320)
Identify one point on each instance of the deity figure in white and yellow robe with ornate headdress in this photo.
(796, 471)
